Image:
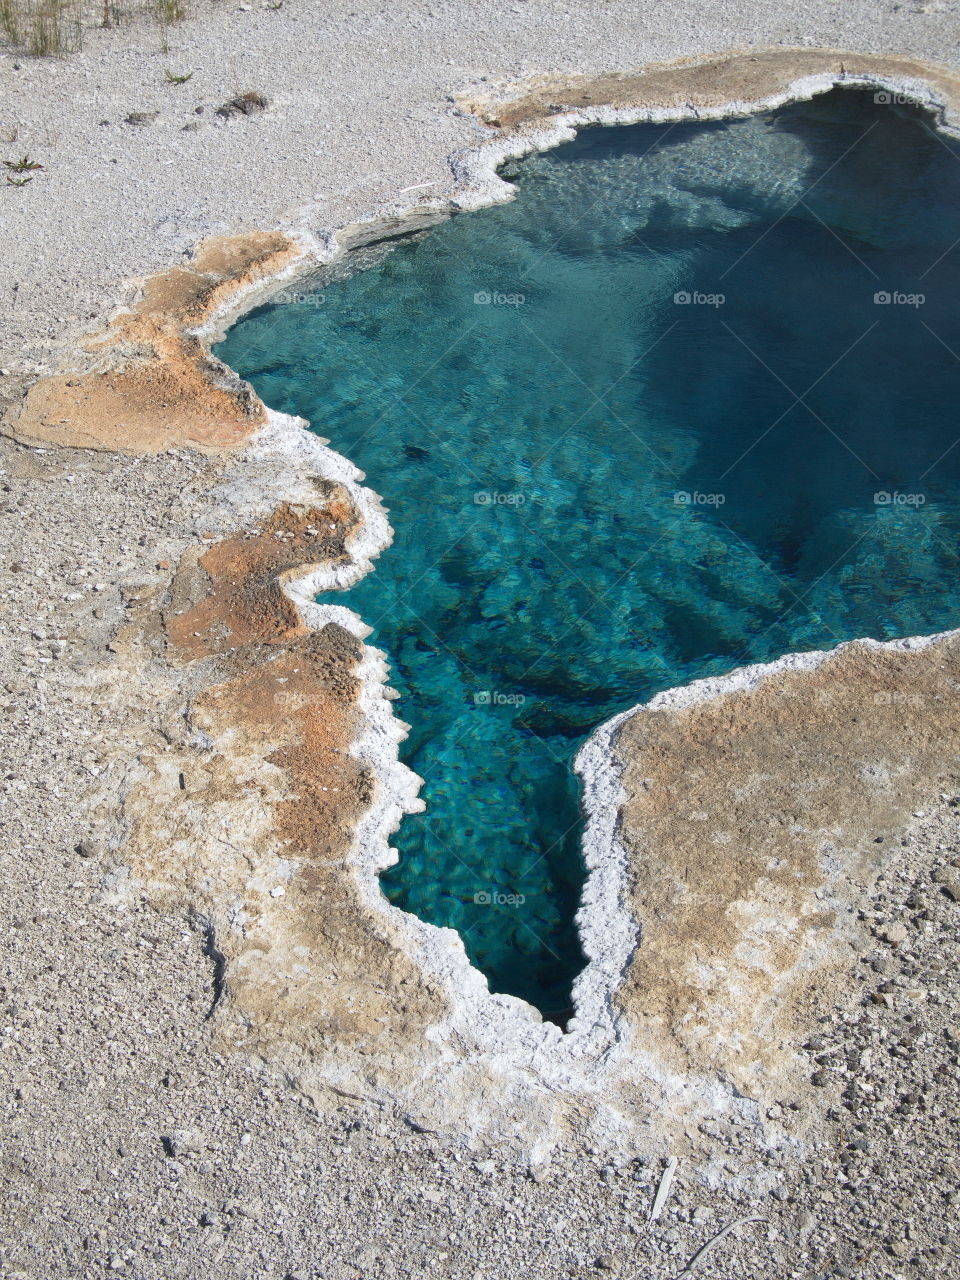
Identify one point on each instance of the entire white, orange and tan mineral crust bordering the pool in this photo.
(703, 954)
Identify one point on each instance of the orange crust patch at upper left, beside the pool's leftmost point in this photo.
(149, 385)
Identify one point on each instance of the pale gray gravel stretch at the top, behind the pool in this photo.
(360, 109)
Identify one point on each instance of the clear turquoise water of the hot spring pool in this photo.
(601, 490)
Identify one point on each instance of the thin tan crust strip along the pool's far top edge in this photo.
(697, 84)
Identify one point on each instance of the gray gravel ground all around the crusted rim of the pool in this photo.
(129, 1146)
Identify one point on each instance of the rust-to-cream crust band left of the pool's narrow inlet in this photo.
(254, 820)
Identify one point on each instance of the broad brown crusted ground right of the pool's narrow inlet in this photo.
(755, 822)
